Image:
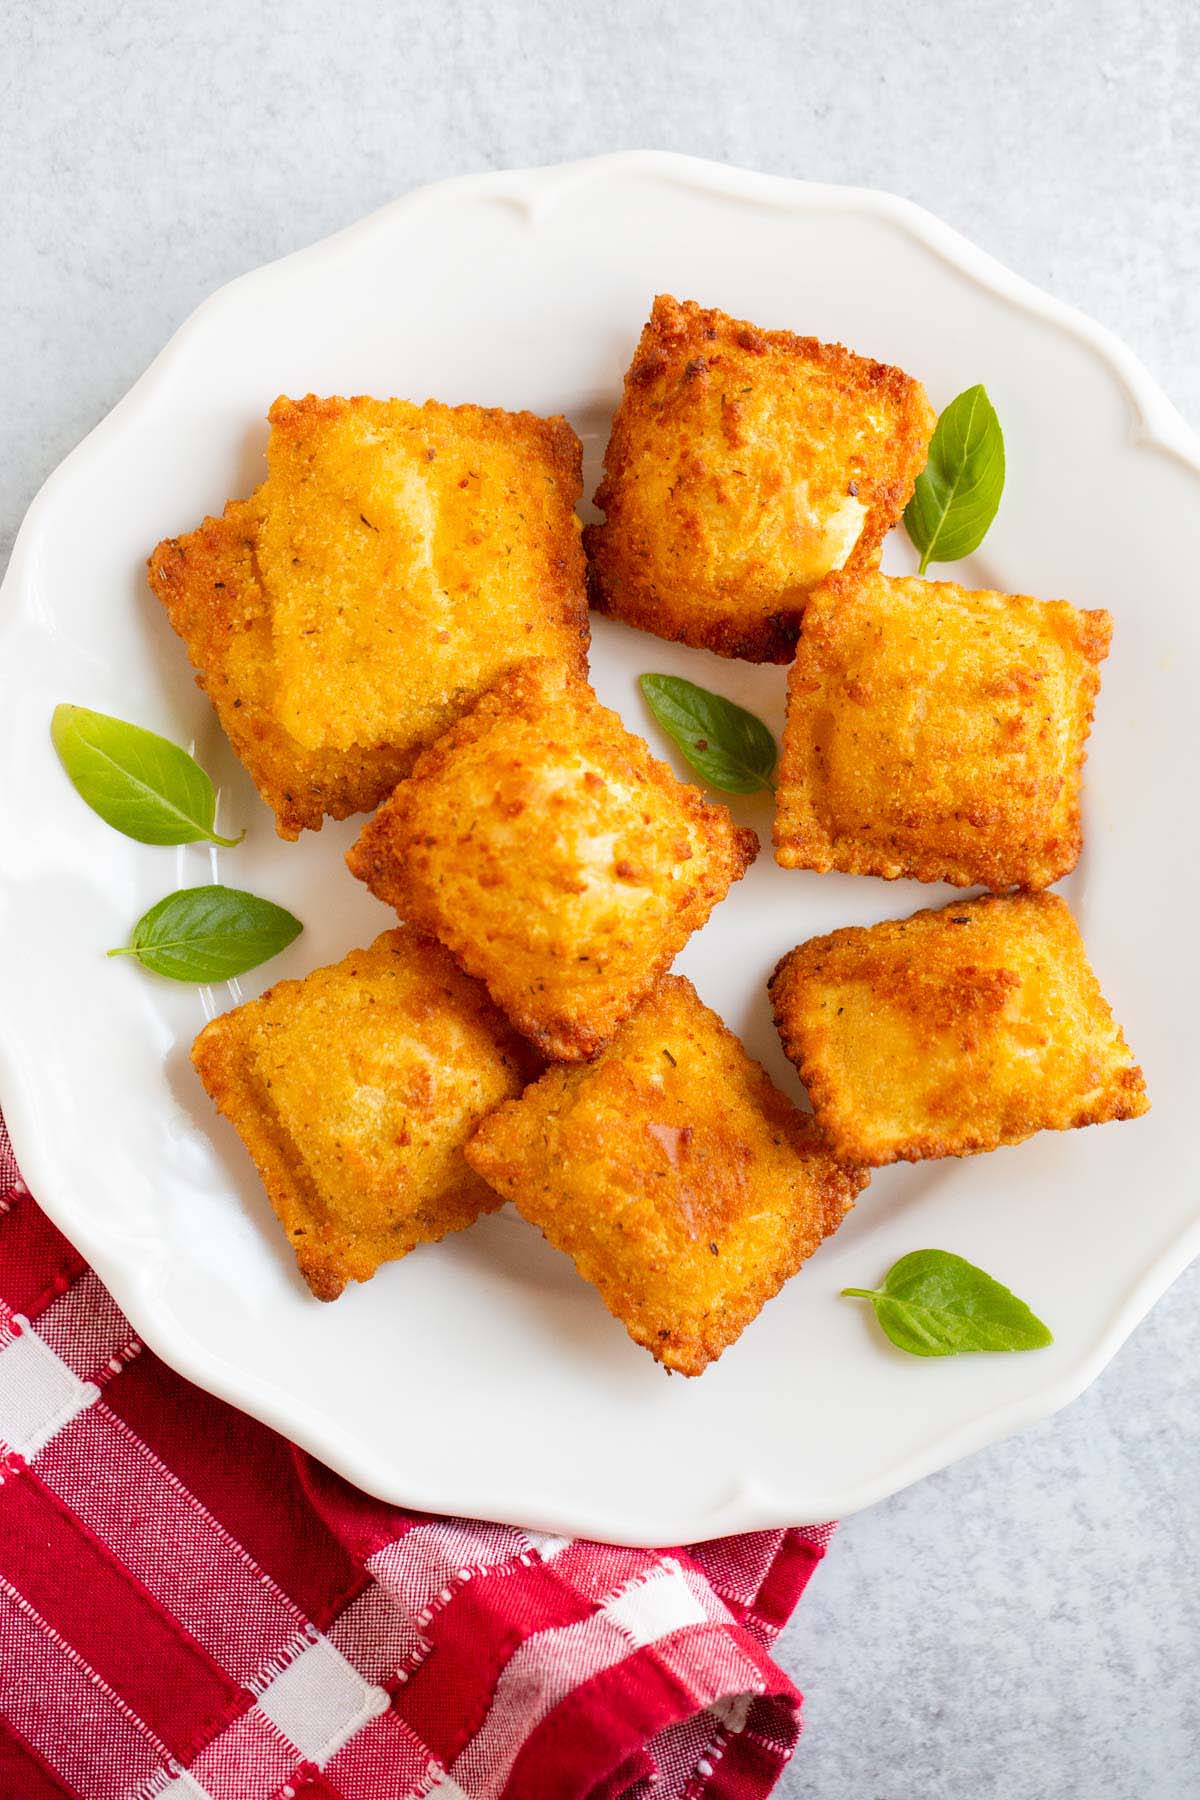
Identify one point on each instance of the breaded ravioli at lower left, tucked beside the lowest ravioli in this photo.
(355, 1092)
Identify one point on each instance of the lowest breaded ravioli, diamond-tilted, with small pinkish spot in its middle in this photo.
(676, 1176)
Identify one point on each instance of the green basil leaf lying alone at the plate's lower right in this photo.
(938, 1304)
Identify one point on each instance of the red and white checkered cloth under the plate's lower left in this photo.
(193, 1608)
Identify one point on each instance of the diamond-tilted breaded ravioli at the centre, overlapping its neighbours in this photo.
(553, 856)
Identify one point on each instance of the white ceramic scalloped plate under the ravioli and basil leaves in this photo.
(481, 1376)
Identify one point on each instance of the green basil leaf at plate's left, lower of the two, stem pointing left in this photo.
(210, 935)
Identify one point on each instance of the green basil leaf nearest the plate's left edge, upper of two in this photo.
(138, 782)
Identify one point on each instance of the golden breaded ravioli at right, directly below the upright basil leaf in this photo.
(938, 733)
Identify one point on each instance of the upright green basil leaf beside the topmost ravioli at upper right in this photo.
(958, 494)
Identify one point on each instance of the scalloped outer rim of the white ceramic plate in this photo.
(134, 1284)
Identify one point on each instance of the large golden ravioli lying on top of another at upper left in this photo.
(413, 553)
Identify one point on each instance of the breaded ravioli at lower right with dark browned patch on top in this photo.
(954, 1030)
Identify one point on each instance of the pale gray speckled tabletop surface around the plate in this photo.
(1028, 1623)
